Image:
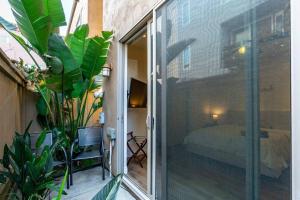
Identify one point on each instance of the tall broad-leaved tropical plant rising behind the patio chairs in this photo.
(71, 64)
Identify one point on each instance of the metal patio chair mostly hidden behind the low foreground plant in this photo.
(49, 142)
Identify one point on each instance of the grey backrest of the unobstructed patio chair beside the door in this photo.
(90, 136)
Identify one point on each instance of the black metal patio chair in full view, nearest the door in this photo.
(89, 136)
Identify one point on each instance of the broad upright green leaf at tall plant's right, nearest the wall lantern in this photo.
(95, 56)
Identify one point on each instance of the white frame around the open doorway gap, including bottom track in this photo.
(122, 117)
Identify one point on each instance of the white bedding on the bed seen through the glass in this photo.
(228, 139)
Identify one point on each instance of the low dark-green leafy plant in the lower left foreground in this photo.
(29, 171)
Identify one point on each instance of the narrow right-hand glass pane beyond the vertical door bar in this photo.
(274, 92)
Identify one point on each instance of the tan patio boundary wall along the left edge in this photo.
(17, 104)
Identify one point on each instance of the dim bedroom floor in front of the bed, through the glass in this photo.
(193, 177)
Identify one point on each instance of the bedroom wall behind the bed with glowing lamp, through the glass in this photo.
(226, 97)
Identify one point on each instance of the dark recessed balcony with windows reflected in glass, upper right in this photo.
(272, 34)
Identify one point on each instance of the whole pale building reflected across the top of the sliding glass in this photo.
(223, 36)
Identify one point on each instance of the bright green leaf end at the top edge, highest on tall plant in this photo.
(55, 10)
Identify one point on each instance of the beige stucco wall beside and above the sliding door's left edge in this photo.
(121, 17)
